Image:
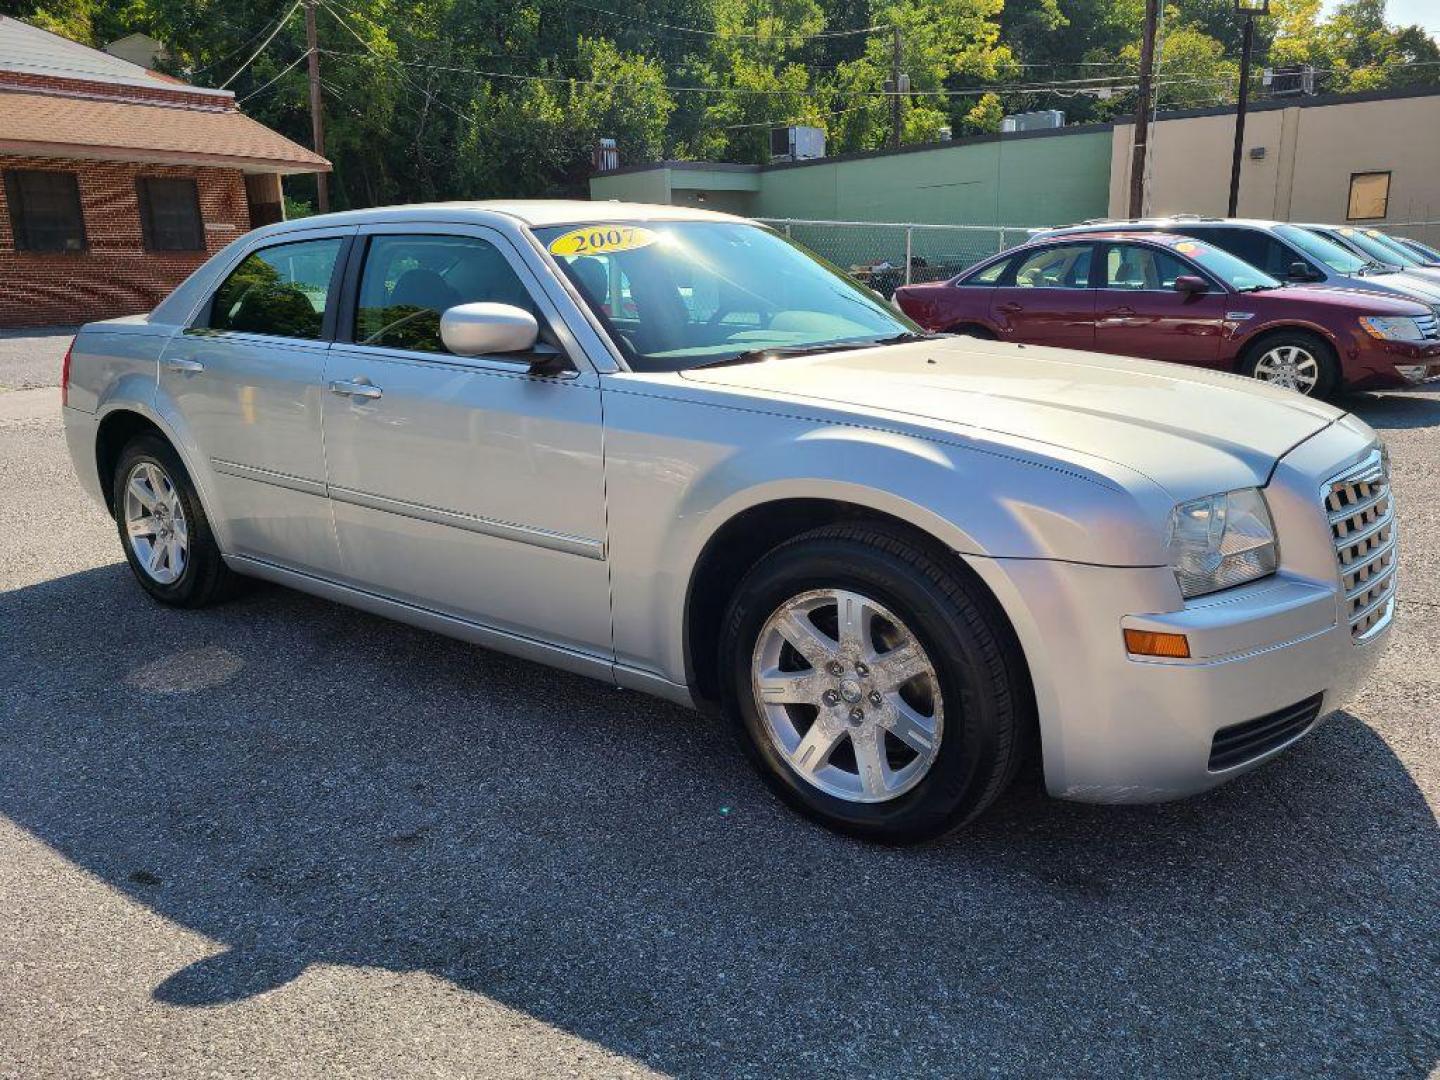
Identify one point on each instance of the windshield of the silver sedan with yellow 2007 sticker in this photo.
(683, 294)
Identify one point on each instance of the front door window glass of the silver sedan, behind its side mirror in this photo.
(408, 283)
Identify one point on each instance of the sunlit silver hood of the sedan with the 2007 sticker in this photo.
(1193, 433)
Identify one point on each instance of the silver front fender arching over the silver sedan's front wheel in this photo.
(678, 473)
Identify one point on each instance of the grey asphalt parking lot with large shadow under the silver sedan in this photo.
(286, 839)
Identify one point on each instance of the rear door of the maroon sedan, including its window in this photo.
(1046, 297)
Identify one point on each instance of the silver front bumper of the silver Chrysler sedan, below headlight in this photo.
(1124, 729)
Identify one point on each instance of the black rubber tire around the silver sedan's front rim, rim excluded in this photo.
(983, 678)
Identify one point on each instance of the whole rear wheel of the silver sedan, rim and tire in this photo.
(163, 528)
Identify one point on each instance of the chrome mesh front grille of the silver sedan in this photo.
(1363, 526)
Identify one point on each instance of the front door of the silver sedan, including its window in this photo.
(466, 486)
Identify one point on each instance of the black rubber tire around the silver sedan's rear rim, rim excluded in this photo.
(205, 578)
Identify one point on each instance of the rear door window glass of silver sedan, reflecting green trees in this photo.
(282, 292)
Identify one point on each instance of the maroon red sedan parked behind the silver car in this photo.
(1169, 297)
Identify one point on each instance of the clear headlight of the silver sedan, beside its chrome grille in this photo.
(1222, 541)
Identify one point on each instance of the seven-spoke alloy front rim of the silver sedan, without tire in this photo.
(847, 696)
